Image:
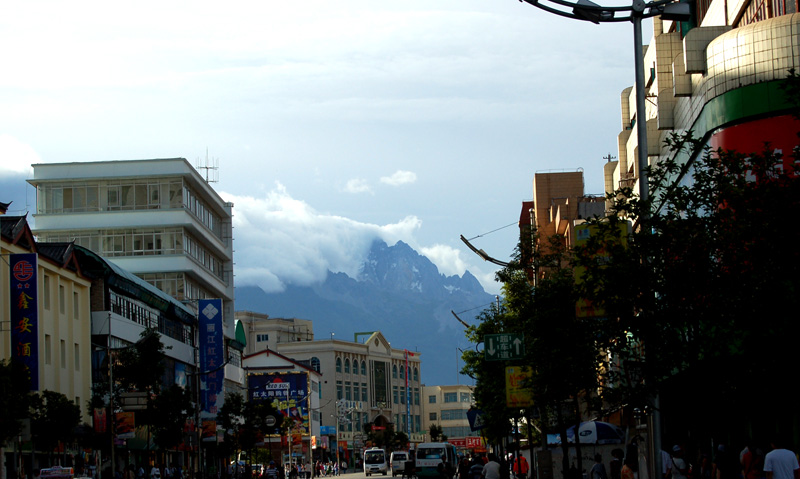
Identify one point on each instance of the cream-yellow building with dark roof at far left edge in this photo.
(56, 316)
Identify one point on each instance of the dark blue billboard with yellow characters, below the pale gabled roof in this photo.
(287, 392)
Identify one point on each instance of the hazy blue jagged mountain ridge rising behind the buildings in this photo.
(398, 292)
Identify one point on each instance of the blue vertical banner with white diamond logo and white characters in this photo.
(212, 356)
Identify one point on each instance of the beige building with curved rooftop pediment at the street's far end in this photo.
(366, 378)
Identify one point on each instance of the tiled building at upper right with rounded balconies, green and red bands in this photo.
(717, 76)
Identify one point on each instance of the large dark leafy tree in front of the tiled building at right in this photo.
(702, 289)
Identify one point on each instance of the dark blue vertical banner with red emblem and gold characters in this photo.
(24, 311)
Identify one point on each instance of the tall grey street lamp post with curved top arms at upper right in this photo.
(587, 10)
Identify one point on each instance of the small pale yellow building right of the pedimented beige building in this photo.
(446, 407)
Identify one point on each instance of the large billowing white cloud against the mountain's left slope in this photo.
(280, 240)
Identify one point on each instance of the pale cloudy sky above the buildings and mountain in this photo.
(330, 123)
